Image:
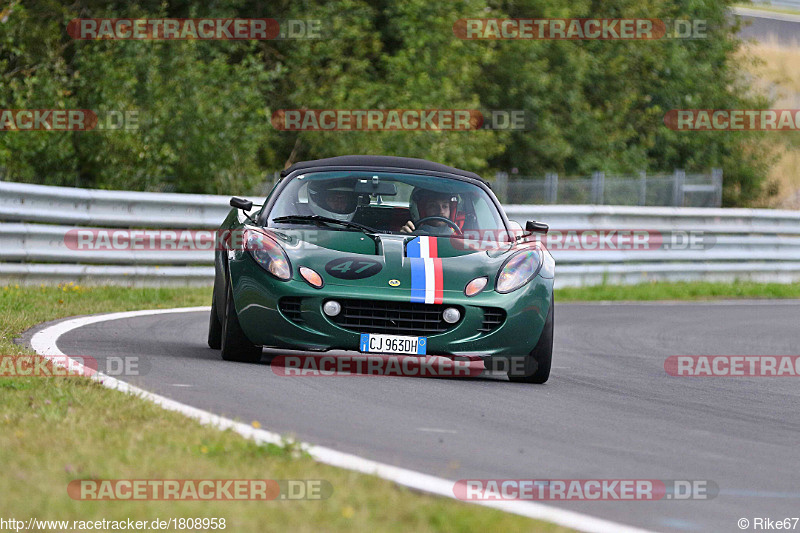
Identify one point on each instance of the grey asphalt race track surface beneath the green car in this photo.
(609, 411)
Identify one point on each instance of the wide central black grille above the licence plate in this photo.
(398, 318)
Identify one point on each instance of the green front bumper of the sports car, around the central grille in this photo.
(256, 297)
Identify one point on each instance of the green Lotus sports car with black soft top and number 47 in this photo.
(384, 255)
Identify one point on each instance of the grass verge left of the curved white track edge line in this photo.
(55, 430)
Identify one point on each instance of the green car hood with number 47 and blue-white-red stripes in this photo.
(391, 261)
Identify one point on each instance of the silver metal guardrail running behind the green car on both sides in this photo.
(756, 244)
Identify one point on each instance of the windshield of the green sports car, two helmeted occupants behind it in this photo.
(385, 203)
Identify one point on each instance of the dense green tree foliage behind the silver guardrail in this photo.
(204, 107)
